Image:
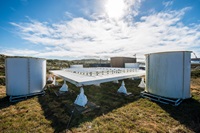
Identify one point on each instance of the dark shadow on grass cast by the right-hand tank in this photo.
(187, 113)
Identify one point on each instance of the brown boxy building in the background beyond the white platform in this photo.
(120, 61)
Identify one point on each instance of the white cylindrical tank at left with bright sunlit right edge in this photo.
(25, 76)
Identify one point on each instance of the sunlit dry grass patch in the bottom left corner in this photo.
(24, 116)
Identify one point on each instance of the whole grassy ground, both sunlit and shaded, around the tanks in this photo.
(117, 113)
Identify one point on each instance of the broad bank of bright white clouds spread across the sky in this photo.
(104, 37)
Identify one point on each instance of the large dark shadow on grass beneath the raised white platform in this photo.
(57, 109)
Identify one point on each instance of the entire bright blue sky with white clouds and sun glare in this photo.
(77, 29)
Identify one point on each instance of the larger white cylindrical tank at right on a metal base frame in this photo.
(168, 74)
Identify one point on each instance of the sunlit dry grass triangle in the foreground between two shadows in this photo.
(139, 116)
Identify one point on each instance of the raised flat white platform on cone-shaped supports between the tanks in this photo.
(90, 76)
